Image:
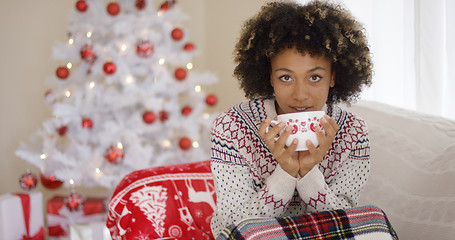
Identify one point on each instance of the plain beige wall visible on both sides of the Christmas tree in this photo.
(30, 29)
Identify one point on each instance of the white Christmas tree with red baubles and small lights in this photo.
(125, 96)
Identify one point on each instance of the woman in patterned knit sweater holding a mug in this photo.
(293, 58)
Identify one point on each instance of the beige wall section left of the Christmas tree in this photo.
(28, 31)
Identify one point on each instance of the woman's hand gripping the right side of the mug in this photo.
(314, 155)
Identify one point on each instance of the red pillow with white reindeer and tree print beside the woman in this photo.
(174, 202)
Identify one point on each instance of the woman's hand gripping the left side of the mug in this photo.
(287, 157)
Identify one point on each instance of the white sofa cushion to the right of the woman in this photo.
(412, 170)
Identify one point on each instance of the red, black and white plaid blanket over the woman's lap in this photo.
(368, 222)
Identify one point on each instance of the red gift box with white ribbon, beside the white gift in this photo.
(60, 217)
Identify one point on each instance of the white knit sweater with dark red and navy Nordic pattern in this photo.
(250, 183)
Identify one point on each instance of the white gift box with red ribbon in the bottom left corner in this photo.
(21, 216)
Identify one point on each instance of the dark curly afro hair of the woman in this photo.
(319, 29)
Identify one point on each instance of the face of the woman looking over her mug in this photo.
(300, 82)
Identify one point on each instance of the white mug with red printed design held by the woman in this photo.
(303, 127)
